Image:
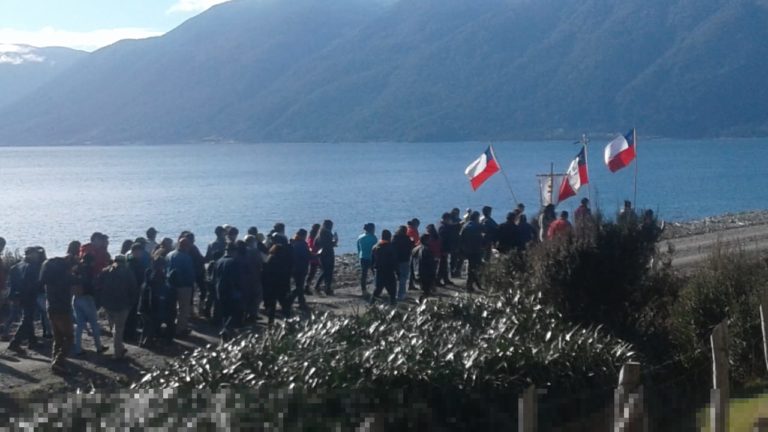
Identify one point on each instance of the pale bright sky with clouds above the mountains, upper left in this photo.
(91, 24)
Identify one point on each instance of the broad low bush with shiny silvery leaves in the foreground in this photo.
(464, 361)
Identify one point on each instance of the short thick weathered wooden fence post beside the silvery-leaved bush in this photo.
(628, 412)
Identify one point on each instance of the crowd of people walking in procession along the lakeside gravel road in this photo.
(147, 290)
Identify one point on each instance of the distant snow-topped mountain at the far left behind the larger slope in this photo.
(24, 68)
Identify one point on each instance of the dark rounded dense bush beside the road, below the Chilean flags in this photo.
(604, 276)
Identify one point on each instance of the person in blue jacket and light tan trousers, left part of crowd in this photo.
(180, 262)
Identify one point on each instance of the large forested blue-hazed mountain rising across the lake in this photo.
(348, 70)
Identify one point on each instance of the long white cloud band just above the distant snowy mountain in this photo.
(88, 40)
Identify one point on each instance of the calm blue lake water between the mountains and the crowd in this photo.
(51, 195)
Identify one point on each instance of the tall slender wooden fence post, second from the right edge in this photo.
(720, 385)
